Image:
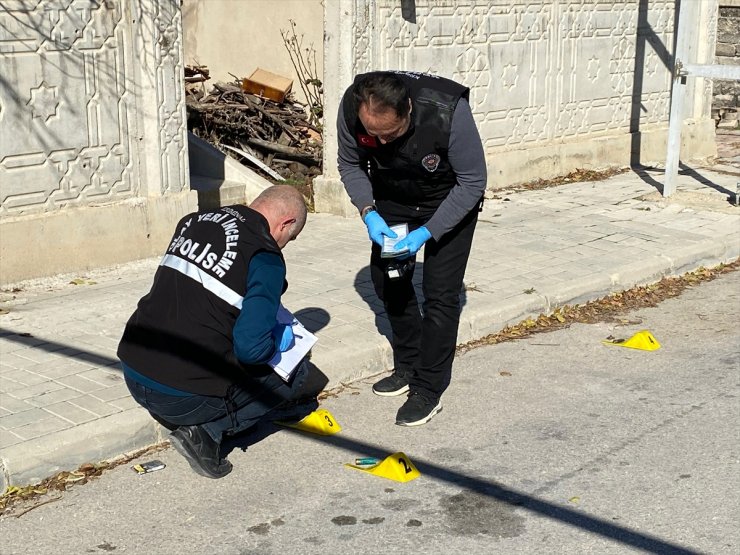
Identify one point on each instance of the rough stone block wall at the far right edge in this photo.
(726, 94)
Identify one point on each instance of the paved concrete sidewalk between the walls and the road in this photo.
(62, 397)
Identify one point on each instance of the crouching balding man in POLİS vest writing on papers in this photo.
(195, 351)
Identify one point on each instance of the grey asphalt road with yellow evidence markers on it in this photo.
(554, 444)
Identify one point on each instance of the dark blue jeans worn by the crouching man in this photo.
(239, 410)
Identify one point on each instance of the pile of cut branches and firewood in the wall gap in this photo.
(273, 138)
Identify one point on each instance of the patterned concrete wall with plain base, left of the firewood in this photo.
(91, 115)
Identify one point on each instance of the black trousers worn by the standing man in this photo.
(424, 342)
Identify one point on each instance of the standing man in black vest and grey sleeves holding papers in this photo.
(409, 152)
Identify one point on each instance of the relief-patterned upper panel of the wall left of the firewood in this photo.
(74, 95)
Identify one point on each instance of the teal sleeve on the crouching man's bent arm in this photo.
(253, 339)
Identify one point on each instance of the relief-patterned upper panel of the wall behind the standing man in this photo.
(538, 71)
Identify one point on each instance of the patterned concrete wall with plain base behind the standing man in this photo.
(555, 85)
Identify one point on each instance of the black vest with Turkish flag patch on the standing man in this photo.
(413, 169)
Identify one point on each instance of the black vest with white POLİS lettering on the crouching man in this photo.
(181, 333)
